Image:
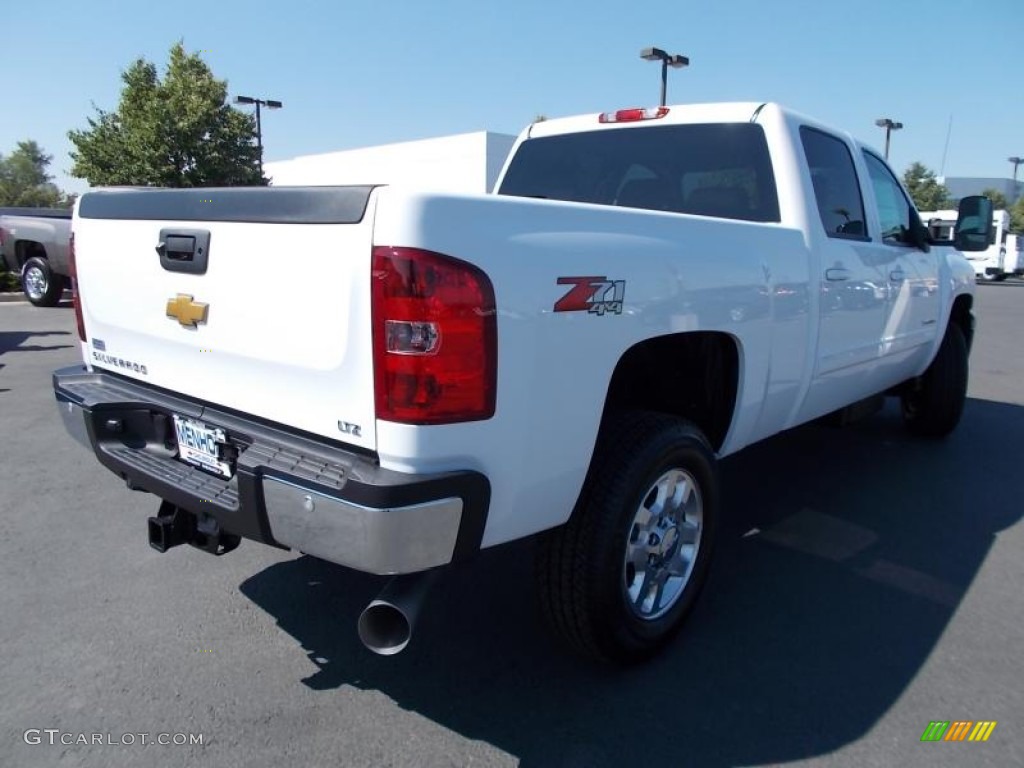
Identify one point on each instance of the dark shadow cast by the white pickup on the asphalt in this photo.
(843, 558)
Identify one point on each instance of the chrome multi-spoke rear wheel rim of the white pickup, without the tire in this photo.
(662, 545)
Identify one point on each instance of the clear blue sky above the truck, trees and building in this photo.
(362, 74)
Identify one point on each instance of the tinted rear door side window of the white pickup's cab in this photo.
(836, 187)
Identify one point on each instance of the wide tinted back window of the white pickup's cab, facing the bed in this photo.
(719, 170)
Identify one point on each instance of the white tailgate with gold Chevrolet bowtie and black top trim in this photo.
(276, 324)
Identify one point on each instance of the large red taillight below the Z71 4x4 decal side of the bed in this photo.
(436, 338)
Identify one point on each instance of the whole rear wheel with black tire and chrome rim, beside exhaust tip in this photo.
(618, 581)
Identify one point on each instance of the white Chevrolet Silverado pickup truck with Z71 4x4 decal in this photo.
(433, 374)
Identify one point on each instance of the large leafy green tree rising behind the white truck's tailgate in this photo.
(179, 132)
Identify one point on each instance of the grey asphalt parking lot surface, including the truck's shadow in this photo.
(867, 584)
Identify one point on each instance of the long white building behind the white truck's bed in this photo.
(464, 163)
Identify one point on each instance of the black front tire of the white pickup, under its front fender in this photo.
(933, 404)
